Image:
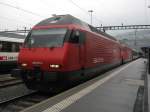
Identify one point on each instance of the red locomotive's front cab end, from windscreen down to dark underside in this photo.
(51, 55)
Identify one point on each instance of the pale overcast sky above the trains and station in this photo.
(25, 13)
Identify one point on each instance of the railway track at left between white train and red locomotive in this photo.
(9, 81)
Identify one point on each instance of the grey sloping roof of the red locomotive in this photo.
(69, 19)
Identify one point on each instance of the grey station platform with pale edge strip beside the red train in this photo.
(113, 91)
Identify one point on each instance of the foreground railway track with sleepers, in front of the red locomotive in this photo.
(22, 102)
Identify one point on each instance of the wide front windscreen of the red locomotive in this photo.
(53, 37)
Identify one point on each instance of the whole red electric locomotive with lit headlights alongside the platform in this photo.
(64, 48)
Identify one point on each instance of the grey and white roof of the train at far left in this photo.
(11, 37)
